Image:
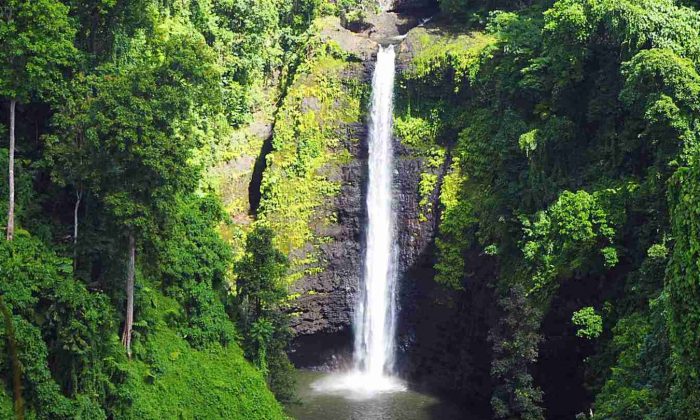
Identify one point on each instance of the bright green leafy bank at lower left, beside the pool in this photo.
(176, 381)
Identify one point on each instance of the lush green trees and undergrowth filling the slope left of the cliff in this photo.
(119, 295)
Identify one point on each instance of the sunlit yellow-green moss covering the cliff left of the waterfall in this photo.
(309, 150)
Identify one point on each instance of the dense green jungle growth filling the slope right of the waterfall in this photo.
(571, 130)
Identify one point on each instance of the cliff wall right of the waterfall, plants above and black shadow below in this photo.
(443, 334)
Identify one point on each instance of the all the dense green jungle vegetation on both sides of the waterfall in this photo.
(569, 132)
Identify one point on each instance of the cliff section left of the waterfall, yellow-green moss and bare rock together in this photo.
(313, 182)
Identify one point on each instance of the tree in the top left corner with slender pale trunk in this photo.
(36, 47)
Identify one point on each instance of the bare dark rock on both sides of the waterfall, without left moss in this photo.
(432, 321)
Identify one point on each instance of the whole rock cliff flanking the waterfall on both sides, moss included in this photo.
(316, 173)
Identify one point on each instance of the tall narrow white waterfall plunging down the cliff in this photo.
(376, 309)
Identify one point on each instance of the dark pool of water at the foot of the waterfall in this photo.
(405, 405)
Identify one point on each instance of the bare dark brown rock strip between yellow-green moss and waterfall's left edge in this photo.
(324, 326)
